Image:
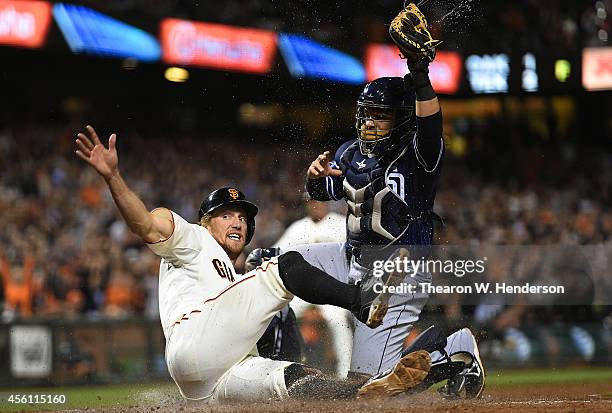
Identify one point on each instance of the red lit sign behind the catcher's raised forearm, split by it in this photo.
(384, 60)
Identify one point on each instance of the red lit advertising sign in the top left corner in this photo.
(24, 23)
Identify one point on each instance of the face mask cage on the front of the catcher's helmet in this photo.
(376, 127)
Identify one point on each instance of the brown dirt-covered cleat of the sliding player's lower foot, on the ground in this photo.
(408, 373)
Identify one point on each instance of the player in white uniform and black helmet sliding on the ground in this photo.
(213, 317)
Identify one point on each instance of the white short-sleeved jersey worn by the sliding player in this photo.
(193, 269)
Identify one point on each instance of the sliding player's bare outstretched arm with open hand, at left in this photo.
(151, 227)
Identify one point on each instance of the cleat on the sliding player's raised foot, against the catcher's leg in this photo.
(375, 295)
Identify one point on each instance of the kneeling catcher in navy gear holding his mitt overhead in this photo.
(388, 176)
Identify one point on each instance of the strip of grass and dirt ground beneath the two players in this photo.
(590, 391)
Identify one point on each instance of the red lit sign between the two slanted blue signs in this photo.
(217, 46)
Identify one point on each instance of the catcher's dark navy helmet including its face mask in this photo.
(388, 94)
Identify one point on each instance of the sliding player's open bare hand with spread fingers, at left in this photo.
(92, 151)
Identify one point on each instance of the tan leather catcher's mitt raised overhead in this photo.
(410, 33)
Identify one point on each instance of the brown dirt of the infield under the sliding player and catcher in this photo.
(589, 397)
